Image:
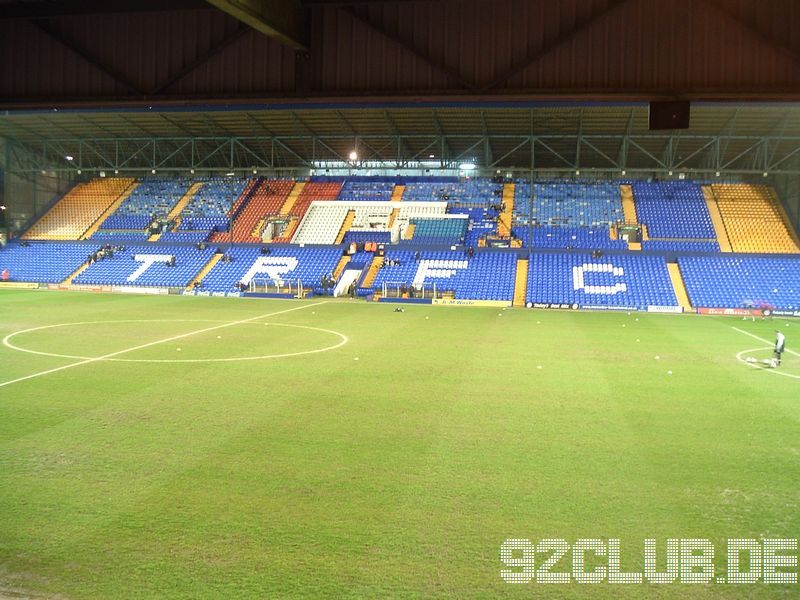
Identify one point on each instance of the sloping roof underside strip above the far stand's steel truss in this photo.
(387, 119)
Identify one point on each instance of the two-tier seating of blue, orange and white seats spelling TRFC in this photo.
(696, 225)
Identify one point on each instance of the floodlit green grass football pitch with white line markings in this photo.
(393, 464)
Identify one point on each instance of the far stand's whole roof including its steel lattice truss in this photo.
(747, 137)
